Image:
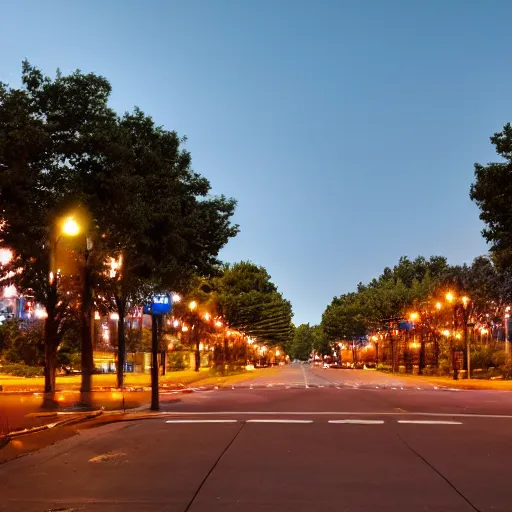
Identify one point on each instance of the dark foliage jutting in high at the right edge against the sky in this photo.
(491, 191)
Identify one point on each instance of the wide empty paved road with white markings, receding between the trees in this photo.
(301, 440)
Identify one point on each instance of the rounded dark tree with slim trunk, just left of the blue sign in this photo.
(155, 218)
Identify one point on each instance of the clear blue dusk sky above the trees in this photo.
(347, 130)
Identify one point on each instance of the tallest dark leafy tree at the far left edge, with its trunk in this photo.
(48, 129)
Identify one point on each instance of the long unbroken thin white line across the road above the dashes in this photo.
(333, 413)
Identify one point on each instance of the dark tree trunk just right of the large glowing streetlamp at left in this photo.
(85, 326)
